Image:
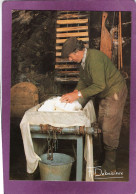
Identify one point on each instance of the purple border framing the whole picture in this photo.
(34, 187)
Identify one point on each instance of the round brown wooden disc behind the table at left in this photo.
(23, 96)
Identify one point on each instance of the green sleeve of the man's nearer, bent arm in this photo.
(97, 73)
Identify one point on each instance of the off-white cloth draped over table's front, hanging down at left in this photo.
(34, 117)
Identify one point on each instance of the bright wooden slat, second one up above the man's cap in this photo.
(76, 28)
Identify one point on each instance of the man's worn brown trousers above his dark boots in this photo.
(110, 117)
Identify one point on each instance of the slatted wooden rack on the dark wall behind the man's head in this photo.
(69, 24)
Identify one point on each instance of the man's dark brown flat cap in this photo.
(69, 47)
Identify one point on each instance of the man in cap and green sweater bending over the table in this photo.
(99, 77)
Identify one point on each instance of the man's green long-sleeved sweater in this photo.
(99, 76)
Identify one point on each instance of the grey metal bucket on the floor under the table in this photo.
(58, 169)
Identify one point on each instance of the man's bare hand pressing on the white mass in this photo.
(70, 97)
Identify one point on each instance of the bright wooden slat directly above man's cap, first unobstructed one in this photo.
(63, 35)
